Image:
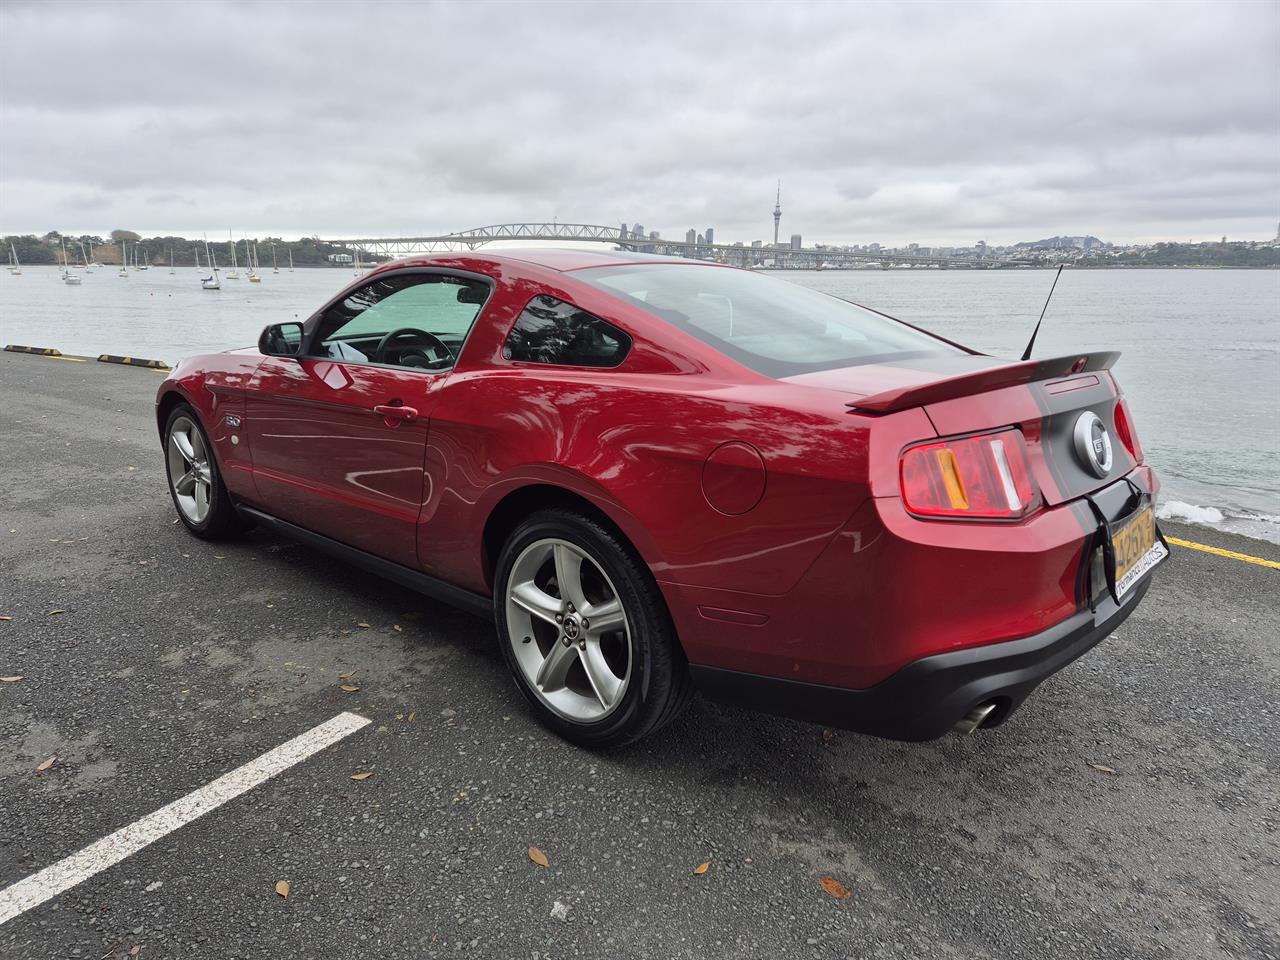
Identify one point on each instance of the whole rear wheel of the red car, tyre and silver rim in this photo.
(587, 633)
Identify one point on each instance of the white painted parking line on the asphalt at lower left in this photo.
(108, 852)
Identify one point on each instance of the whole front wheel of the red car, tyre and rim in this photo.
(196, 487)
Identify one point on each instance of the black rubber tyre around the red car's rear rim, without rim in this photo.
(660, 687)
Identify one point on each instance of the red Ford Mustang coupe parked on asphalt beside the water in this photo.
(659, 477)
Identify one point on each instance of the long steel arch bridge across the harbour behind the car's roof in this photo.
(464, 241)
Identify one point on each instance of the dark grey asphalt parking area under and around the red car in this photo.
(154, 664)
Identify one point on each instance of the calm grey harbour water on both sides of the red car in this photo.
(1201, 349)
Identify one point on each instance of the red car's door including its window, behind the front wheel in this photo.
(339, 437)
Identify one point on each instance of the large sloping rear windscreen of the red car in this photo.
(770, 326)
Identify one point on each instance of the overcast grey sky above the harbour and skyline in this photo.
(938, 124)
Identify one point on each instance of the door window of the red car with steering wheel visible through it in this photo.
(414, 321)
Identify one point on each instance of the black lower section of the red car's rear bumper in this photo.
(926, 698)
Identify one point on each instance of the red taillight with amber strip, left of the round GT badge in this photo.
(979, 478)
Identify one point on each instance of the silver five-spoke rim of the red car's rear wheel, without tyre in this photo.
(569, 630)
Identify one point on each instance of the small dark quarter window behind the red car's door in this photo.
(555, 332)
